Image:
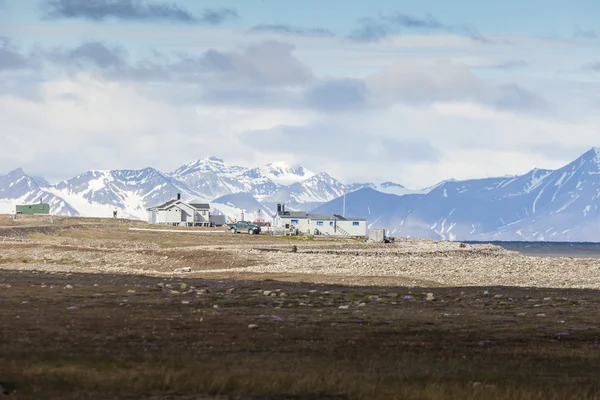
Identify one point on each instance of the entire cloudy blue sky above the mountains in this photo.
(402, 91)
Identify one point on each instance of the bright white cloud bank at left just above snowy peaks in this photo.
(88, 123)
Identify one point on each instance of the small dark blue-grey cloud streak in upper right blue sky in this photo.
(375, 29)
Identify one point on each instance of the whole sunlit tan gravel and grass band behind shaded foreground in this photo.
(412, 261)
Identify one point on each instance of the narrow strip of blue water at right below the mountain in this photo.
(552, 249)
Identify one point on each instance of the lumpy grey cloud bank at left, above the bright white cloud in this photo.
(268, 64)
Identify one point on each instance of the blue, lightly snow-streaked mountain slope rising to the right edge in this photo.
(560, 205)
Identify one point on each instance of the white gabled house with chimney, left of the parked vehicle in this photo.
(178, 212)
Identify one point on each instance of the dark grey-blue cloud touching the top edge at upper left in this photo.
(132, 10)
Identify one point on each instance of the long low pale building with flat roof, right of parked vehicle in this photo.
(319, 224)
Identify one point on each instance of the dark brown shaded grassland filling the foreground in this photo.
(117, 344)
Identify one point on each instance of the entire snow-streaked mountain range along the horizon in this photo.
(559, 205)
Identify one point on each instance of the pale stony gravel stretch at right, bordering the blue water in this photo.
(442, 262)
